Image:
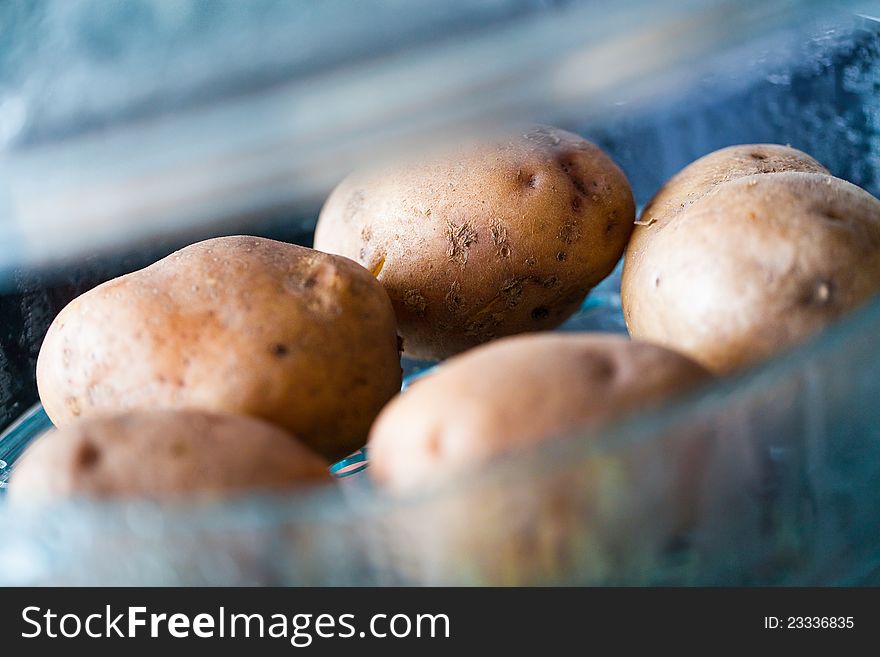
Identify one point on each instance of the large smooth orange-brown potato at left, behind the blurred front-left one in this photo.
(243, 325)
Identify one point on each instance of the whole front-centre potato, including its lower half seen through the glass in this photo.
(605, 515)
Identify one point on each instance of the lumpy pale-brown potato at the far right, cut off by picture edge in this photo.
(754, 265)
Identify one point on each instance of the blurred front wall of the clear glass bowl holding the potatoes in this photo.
(786, 494)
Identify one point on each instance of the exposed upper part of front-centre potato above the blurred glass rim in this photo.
(514, 393)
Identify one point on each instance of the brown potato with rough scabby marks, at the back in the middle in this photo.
(485, 241)
